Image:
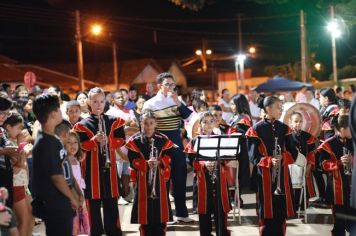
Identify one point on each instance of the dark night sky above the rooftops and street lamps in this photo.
(43, 31)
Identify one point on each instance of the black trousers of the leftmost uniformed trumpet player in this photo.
(112, 225)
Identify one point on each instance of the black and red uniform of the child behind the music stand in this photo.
(207, 202)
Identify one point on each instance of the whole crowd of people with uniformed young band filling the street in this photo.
(71, 162)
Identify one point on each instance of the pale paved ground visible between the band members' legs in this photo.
(319, 221)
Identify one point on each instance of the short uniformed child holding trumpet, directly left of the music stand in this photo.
(150, 154)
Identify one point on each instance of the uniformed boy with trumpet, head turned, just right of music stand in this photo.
(271, 151)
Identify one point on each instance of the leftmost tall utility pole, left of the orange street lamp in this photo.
(80, 63)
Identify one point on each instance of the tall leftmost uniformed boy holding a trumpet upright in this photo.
(101, 136)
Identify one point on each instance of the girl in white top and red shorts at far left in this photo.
(14, 125)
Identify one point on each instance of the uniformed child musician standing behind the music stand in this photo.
(206, 175)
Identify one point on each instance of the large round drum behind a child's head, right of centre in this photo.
(311, 117)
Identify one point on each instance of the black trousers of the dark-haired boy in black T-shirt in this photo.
(58, 221)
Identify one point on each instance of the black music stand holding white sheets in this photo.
(218, 148)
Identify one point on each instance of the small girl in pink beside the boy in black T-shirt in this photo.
(81, 220)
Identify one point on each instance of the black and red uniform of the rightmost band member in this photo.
(338, 184)
